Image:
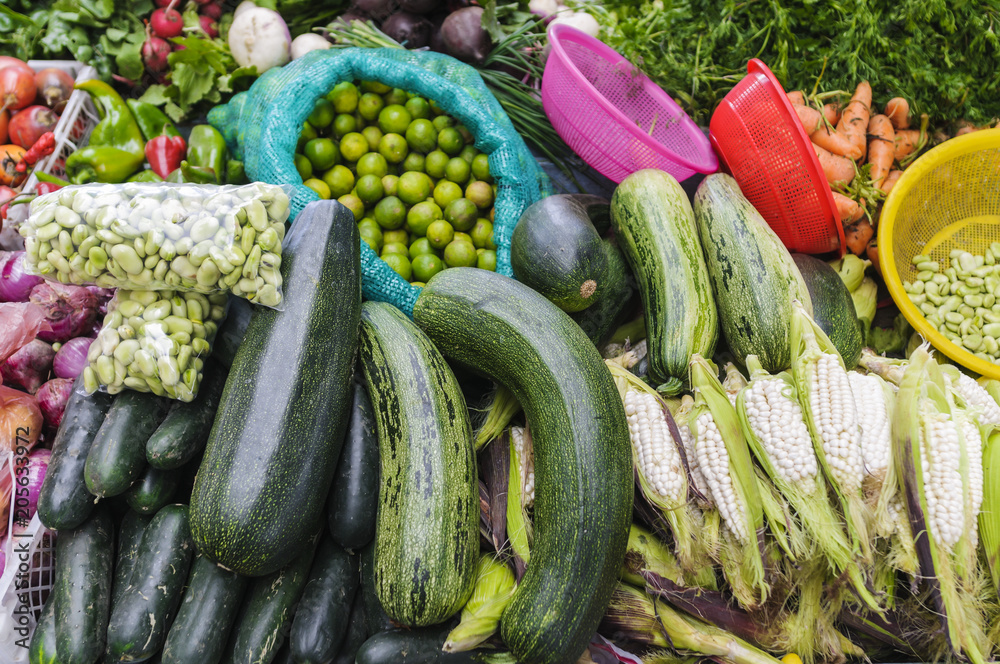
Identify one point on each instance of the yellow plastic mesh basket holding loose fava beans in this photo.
(947, 199)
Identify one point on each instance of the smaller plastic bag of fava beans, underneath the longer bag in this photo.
(154, 341)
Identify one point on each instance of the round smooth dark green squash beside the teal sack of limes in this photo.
(556, 250)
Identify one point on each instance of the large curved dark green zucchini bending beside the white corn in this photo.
(583, 462)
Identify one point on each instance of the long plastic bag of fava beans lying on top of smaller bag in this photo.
(161, 236)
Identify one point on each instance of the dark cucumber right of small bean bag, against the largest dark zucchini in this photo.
(182, 434)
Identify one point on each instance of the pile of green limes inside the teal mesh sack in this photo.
(420, 191)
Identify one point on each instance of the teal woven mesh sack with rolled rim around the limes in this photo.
(262, 127)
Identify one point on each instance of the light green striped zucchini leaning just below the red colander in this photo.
(753, 275)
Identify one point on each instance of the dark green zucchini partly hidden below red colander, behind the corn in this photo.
(833, 307)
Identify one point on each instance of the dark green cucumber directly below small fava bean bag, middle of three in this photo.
(118, 455)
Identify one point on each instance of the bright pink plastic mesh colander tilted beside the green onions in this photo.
(613, 116)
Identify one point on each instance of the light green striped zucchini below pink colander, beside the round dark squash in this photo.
(655, 229)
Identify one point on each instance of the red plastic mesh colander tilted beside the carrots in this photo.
(761, 143)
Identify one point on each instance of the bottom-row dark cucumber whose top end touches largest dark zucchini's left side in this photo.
(141, 618)
